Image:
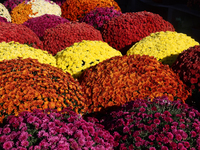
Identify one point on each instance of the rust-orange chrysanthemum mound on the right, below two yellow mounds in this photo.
(121, 79)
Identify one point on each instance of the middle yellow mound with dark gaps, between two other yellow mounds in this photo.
(80, 56)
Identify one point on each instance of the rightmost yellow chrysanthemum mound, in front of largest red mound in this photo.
(165, 46)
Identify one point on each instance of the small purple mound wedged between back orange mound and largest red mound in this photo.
(99, 16)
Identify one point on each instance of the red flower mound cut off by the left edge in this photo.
(19, 33)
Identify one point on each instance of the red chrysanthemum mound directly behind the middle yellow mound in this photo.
(64, 35)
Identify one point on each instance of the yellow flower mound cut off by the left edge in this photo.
(13, 50)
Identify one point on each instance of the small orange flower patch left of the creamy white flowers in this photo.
(22, 8)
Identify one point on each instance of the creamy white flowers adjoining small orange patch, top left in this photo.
(41, 7)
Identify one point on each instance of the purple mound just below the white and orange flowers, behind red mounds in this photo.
(40, 24)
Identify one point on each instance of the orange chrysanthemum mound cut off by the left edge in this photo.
(27, 84)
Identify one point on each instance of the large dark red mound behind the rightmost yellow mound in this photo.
(125, 30)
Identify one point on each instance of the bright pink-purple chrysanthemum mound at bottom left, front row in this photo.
(52, 130)
